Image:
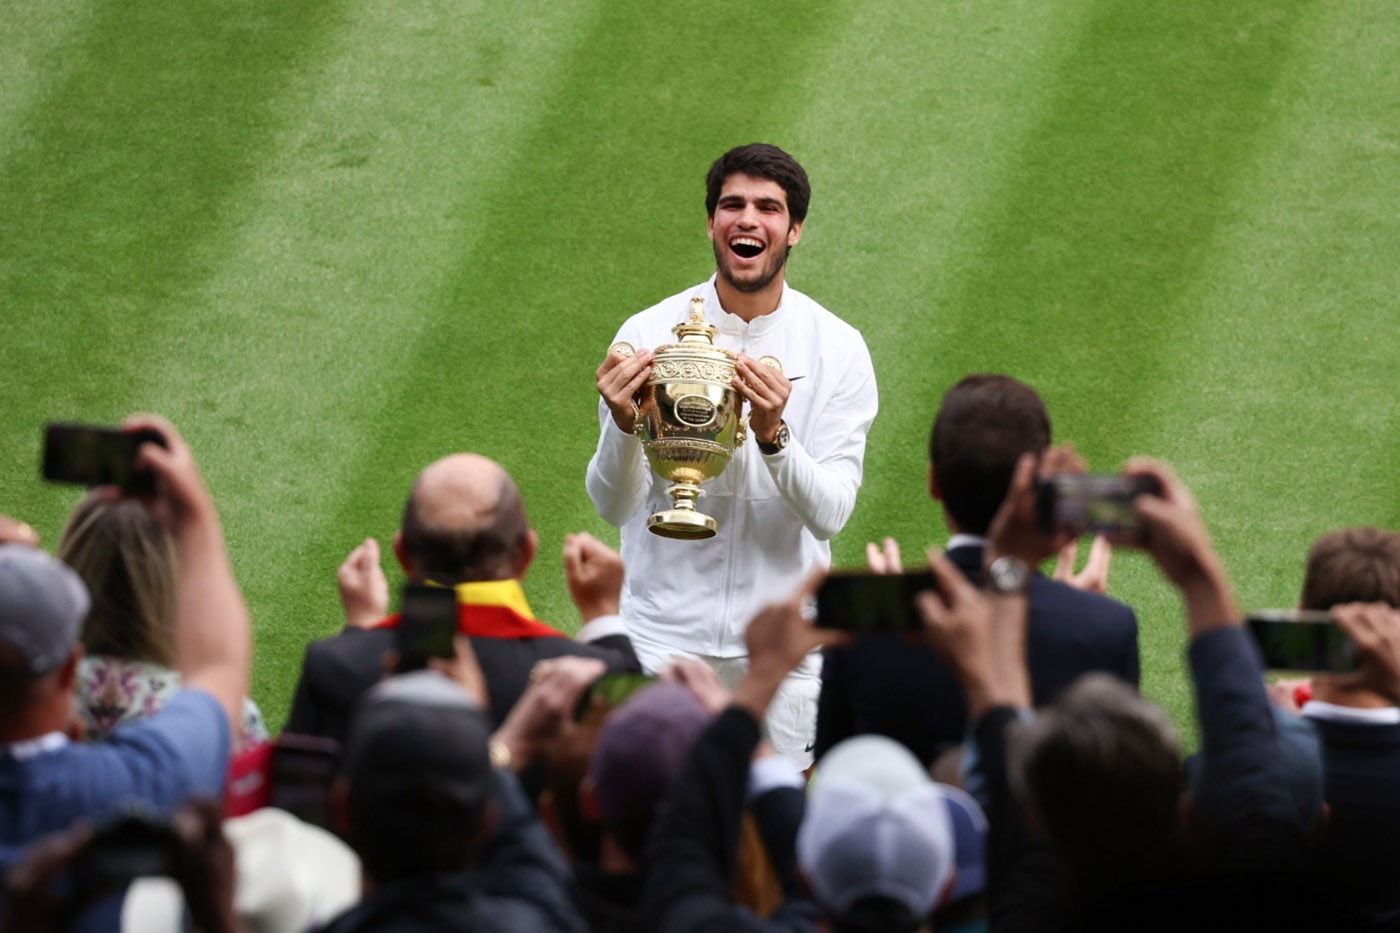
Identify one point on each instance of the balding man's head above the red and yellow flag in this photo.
(465, 522)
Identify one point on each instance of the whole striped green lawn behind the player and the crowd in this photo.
(334, 242)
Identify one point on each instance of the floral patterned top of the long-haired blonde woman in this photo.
(113, 691)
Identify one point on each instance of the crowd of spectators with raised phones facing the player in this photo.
(993, 770)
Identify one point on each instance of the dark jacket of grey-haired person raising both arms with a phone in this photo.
(1245, 868)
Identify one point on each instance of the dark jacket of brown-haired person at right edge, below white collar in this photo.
(1360, 857)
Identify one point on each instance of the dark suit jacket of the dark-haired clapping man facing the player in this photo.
(885, 686)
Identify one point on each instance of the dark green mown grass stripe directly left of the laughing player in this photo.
(600, 215)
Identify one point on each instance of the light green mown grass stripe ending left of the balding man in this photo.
(393, 145)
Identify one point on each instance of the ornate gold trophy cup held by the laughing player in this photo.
(689, 421)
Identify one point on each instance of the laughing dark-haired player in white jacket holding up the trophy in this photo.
(789, 490)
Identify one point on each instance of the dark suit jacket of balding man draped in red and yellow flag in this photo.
(339, 669)
